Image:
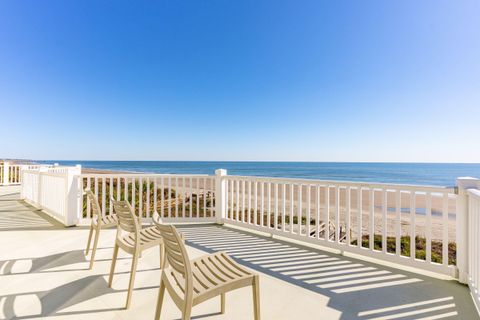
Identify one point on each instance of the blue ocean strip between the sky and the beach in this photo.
(435, 174)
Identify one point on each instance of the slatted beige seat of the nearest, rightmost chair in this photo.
(212, 275)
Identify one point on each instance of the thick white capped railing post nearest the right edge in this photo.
(463, 184)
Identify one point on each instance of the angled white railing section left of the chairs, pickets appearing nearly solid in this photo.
(55, 190)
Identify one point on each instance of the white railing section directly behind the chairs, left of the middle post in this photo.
(182, 198)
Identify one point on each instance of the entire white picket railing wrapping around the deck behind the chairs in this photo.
(430, 228)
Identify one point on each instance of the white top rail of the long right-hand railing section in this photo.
(374, 185)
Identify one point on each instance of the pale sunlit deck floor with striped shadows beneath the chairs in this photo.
(43, 274)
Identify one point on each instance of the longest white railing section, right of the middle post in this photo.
(376, 220)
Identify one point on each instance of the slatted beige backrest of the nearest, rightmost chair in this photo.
(176, 252)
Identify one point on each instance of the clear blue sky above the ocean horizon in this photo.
(240, 80)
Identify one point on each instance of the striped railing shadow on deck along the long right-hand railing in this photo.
(359, 289)
